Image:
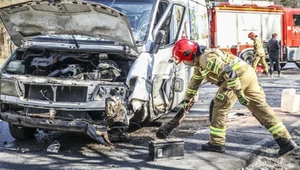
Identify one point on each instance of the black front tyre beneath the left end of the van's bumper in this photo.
(21, 133)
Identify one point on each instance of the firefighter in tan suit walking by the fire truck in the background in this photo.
(259, 53)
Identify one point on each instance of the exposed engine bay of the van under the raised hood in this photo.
(94, 66)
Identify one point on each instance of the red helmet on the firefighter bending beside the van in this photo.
(185, 50)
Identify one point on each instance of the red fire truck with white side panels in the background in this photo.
(231, 23)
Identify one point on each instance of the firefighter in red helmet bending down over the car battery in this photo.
(237, 81)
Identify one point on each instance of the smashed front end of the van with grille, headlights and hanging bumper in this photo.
(91, 107)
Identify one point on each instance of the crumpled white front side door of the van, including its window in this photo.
(164, 70)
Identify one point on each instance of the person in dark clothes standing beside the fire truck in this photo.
(273, 50)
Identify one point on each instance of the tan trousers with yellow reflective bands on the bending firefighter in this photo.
(225, 99)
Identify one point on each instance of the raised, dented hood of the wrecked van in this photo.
(25, 21)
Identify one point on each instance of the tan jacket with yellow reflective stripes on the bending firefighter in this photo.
(212, 66)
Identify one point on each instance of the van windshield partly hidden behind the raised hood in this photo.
(138, 13)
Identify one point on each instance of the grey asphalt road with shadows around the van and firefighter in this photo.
(245, 137)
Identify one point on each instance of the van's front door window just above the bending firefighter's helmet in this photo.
(173, 24)
